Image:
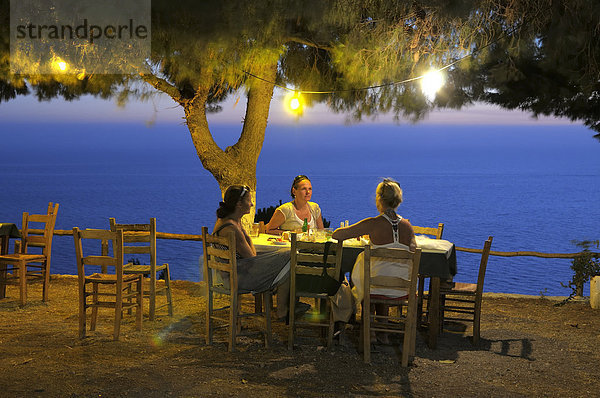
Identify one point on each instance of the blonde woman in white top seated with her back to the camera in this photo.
(388, 229)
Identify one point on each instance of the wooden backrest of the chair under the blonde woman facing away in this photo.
(400, 256)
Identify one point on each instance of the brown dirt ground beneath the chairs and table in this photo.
(529, 348)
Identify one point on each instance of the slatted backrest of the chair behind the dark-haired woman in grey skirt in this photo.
(219, 255)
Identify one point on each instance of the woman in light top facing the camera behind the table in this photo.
(290, 216)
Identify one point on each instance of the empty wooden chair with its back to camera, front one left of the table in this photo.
(117, 290)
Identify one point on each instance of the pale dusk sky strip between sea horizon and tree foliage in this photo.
(161, 109)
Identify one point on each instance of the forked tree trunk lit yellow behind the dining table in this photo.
(236, 165)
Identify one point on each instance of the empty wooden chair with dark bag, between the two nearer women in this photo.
(307, 259)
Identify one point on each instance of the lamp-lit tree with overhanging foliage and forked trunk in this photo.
(540, 56)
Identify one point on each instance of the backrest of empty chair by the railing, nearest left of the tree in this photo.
(143, 235)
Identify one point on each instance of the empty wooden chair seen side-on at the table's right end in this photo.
(464, 299)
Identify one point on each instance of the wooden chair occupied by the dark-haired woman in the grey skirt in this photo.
(220, 256)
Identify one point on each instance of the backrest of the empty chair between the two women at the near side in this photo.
(307, 258)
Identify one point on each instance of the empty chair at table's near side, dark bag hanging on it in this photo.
(321, 261)
